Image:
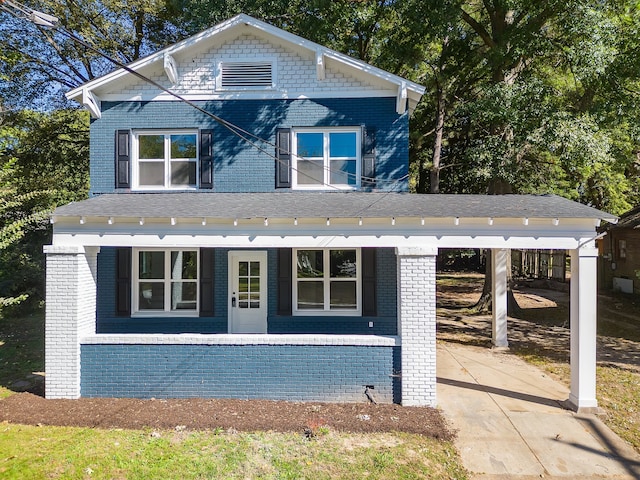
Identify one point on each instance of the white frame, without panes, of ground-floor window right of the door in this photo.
(326, 311)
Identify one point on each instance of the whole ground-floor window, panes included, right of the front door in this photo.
(326, 281)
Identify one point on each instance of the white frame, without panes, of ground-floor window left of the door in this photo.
(167, 281)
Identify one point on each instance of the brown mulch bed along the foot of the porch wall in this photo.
(226, 414)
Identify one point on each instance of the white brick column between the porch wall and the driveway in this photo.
(417, 324)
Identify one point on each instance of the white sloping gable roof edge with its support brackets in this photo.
(407, 92)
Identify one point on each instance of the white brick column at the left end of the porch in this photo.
(70, 314)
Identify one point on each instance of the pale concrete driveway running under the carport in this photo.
(511, 422)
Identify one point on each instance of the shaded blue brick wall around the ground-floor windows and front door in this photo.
(385, 323)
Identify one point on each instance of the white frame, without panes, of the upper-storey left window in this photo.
(135, 159)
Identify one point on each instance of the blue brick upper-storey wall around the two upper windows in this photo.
(239, 167)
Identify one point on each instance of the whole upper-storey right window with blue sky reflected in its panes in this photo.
(326, 158)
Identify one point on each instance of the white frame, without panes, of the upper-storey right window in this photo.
(326, 182)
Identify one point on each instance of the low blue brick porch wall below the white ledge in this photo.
(277, 372)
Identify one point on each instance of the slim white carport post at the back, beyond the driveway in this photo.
(499, 297)
